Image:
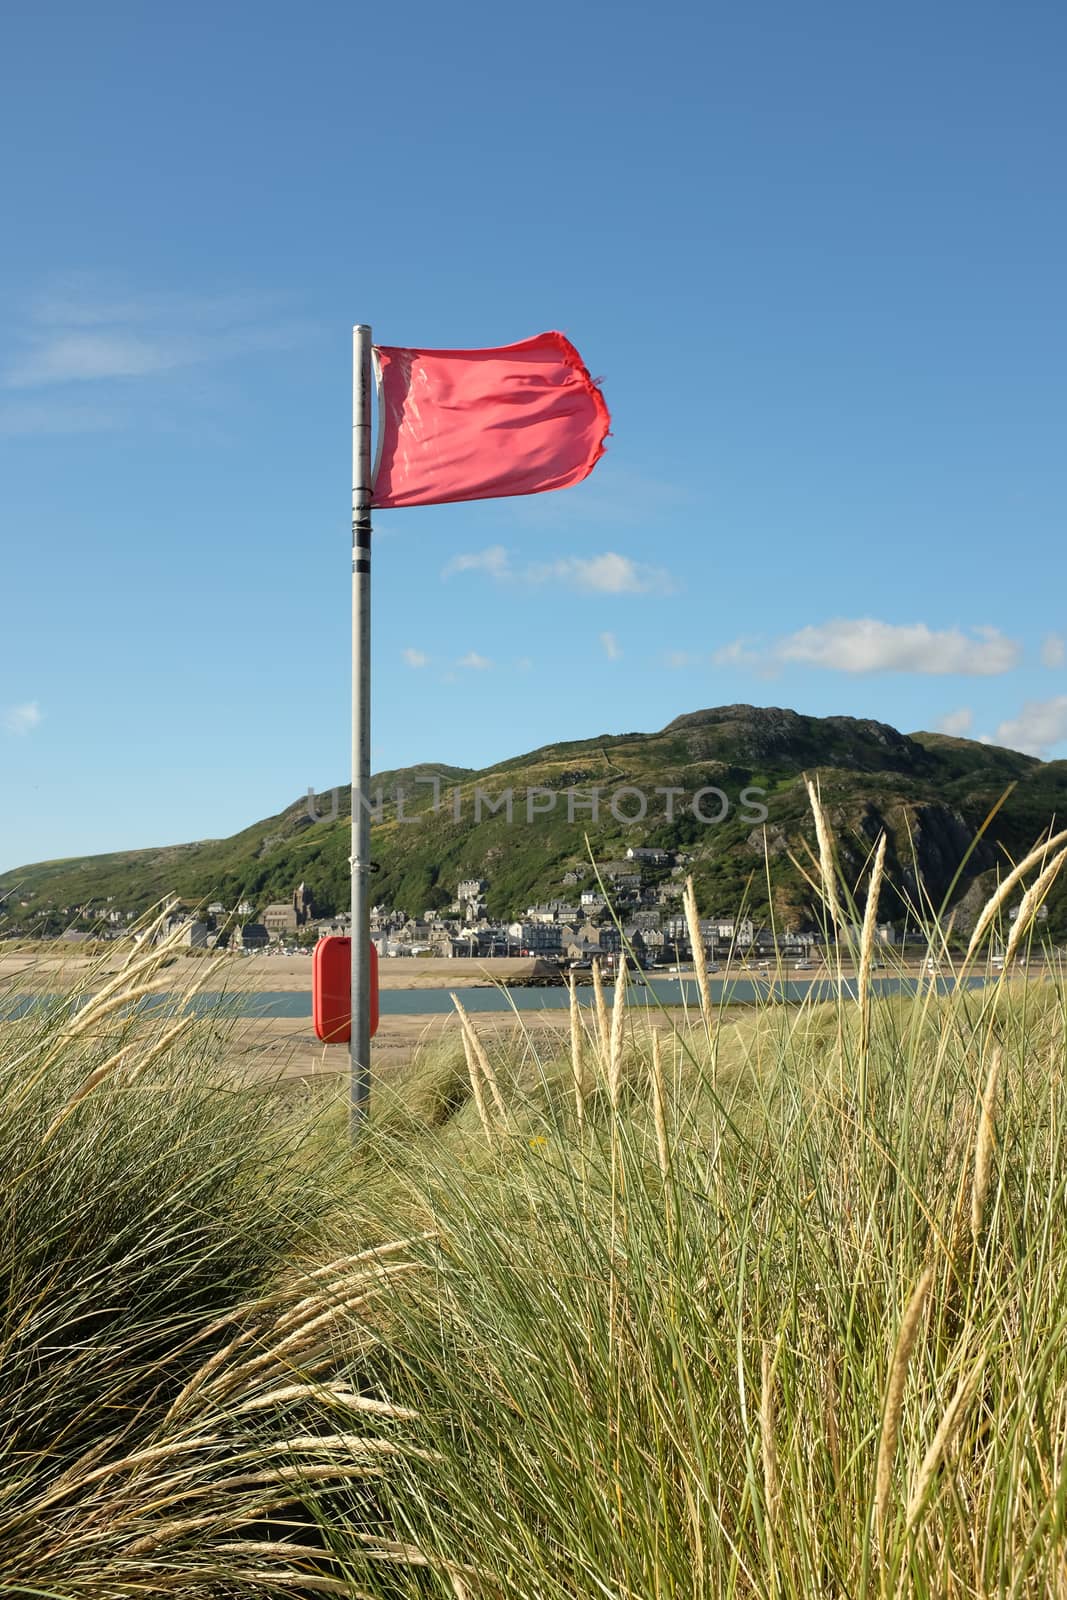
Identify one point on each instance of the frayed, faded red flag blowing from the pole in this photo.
(473, 425)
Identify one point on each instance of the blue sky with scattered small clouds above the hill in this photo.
(817, 254)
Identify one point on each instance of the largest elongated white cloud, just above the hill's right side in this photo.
(866, 646)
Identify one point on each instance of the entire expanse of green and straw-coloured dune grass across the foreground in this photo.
(764, 1305)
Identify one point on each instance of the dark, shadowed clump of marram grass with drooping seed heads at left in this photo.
(182, 1383)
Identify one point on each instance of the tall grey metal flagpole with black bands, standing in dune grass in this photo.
(361, 862)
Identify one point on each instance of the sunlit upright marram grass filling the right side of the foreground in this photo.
(733, 1343)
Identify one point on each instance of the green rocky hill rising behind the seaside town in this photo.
(930, 793)
